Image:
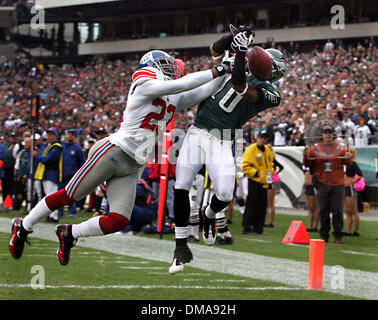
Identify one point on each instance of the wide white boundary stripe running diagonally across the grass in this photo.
(357, 283)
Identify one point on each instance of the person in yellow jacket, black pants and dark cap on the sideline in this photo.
(257, 165)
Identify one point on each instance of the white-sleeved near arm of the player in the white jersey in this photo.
(158, 88)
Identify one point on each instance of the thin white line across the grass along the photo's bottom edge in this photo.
(131, 286)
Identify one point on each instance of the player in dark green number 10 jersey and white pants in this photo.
(209, 140)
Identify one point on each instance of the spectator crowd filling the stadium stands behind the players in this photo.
(331, 80)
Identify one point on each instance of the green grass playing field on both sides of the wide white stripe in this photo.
(97, 274)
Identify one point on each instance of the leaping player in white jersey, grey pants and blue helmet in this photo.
(155, 94)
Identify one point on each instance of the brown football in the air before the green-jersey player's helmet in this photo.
(260, 63)
